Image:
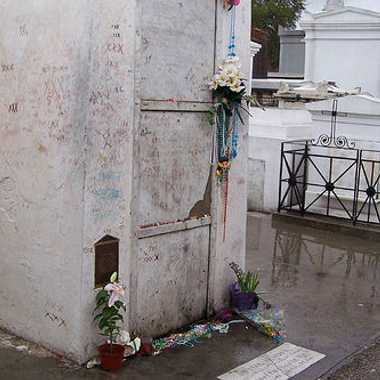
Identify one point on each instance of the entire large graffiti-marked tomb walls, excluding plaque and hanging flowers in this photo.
(104, 133)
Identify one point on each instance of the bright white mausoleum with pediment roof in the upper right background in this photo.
(342, 45)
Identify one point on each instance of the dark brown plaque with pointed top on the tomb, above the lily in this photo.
(106, 260)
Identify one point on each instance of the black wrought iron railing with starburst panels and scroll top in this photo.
(330, 178)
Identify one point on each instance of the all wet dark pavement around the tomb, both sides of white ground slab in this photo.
(327, 283)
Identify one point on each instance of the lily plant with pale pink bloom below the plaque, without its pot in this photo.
(109, 308)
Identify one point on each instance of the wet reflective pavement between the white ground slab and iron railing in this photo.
(327, 283)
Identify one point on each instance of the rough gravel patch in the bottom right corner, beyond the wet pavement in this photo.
(363, 366)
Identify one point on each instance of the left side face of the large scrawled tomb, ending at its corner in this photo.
(43, 82)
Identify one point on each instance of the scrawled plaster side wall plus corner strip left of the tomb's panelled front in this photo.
(66, 90)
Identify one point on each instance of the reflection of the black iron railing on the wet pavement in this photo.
(305, 257)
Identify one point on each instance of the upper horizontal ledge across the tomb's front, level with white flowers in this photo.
(171, 105)
